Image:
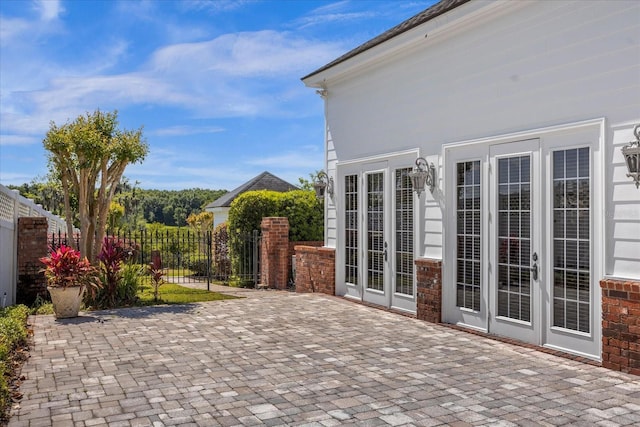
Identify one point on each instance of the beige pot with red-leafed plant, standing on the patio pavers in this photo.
(68, 276)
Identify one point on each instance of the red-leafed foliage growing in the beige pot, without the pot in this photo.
(66, 267)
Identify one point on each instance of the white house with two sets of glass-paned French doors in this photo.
(523, 108)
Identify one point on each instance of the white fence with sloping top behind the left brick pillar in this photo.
(12, 207)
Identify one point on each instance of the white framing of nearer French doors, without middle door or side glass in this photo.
(589, 133)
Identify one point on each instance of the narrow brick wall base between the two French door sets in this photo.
(429, 289)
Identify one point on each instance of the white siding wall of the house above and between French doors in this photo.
(524, 65)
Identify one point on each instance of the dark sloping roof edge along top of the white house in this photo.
(426, 15)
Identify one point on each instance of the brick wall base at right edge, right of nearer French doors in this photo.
(621, 325)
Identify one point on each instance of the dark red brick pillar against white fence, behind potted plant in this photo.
(32, 245)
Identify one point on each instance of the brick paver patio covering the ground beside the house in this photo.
(279, 358)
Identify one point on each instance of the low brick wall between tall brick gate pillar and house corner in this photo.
(315, 269)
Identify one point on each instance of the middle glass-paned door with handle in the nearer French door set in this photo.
(515, 240)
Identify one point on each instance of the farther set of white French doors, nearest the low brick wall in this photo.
(376, 255)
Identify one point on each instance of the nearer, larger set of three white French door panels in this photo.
(518, 254)
